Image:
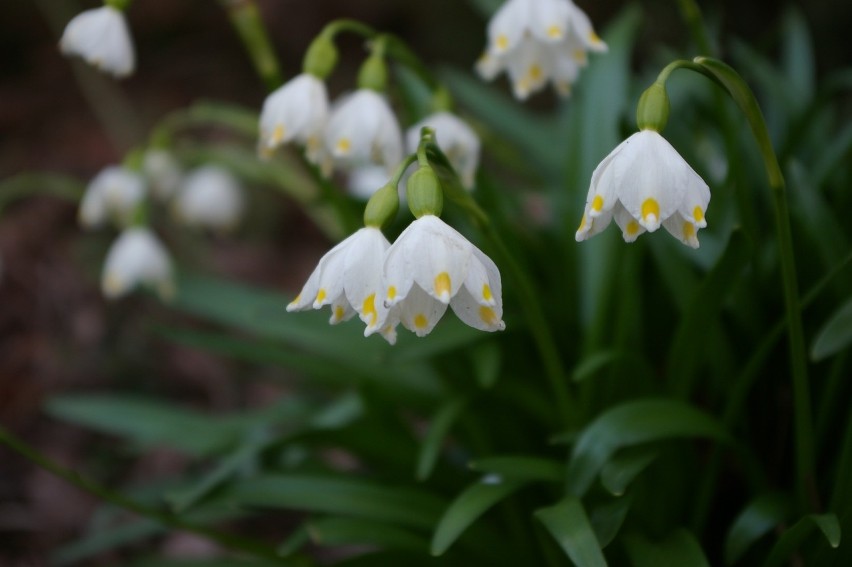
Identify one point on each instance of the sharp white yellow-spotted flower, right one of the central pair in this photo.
(430, 266)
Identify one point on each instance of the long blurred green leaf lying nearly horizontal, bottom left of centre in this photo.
(343, 496)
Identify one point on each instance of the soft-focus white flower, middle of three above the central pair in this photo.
(363, 129)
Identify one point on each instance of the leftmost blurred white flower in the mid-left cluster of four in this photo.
(114, 194)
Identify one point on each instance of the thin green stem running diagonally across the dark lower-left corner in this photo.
(230, 541)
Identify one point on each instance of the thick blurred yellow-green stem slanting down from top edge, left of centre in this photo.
(246, 19)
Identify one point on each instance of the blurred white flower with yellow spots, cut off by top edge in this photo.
(536, 41)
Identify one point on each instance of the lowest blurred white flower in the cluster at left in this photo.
(137, 257)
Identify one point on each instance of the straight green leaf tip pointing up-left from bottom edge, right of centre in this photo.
(568, 524)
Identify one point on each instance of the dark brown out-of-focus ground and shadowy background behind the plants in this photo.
(56, 332)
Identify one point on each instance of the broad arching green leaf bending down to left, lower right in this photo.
(632, 423)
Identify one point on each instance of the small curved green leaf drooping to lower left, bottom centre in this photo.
(467, 508)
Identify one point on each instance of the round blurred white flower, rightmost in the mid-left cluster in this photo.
(209, 197)
